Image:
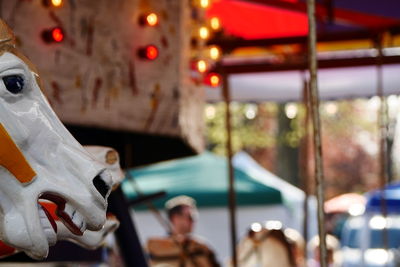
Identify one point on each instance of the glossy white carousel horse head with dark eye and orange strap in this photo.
(39, 159)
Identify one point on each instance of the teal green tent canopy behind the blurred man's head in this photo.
(203, 177)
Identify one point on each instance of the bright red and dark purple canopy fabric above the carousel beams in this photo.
(259, 19)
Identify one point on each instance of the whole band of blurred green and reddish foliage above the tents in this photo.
(349, 135)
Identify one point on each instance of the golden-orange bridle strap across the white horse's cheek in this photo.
(12, 158)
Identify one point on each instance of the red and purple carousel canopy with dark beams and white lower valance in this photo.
(256, 31)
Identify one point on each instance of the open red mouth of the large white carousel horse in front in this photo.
(60, 209)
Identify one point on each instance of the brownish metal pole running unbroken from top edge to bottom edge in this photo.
(314, 97)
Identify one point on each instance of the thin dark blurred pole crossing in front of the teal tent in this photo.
(232, 196)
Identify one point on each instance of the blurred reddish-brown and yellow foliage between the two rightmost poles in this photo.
(350, 146)
